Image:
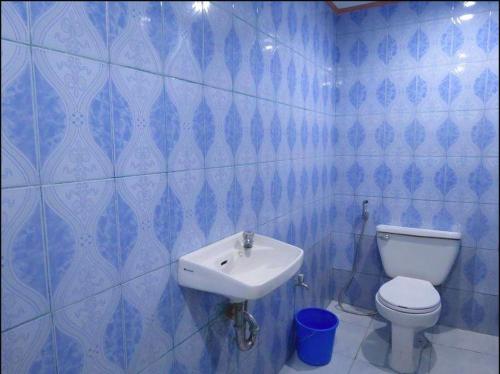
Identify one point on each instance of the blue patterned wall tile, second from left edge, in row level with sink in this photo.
(82, 239)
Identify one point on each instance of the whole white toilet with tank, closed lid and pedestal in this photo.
(417, 260)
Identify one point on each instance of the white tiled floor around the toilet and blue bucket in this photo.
(362, 346)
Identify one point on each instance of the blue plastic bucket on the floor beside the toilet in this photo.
(315, 335)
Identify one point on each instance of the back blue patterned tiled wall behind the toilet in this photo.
(417, 126)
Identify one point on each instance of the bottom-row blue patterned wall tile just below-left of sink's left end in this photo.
(147, 315)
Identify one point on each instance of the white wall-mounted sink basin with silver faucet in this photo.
(228, 269)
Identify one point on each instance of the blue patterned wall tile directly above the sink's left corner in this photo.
(186, 214)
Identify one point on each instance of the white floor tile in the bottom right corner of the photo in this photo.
(448, 360)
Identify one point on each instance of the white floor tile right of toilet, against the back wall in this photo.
(464, 339)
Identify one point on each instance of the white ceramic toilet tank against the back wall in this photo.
(417, 253)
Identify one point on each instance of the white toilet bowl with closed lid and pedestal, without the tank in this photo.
(410, 305)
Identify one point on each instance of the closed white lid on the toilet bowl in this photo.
(409, 295)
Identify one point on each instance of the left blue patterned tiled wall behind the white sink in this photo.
(133, 133)
